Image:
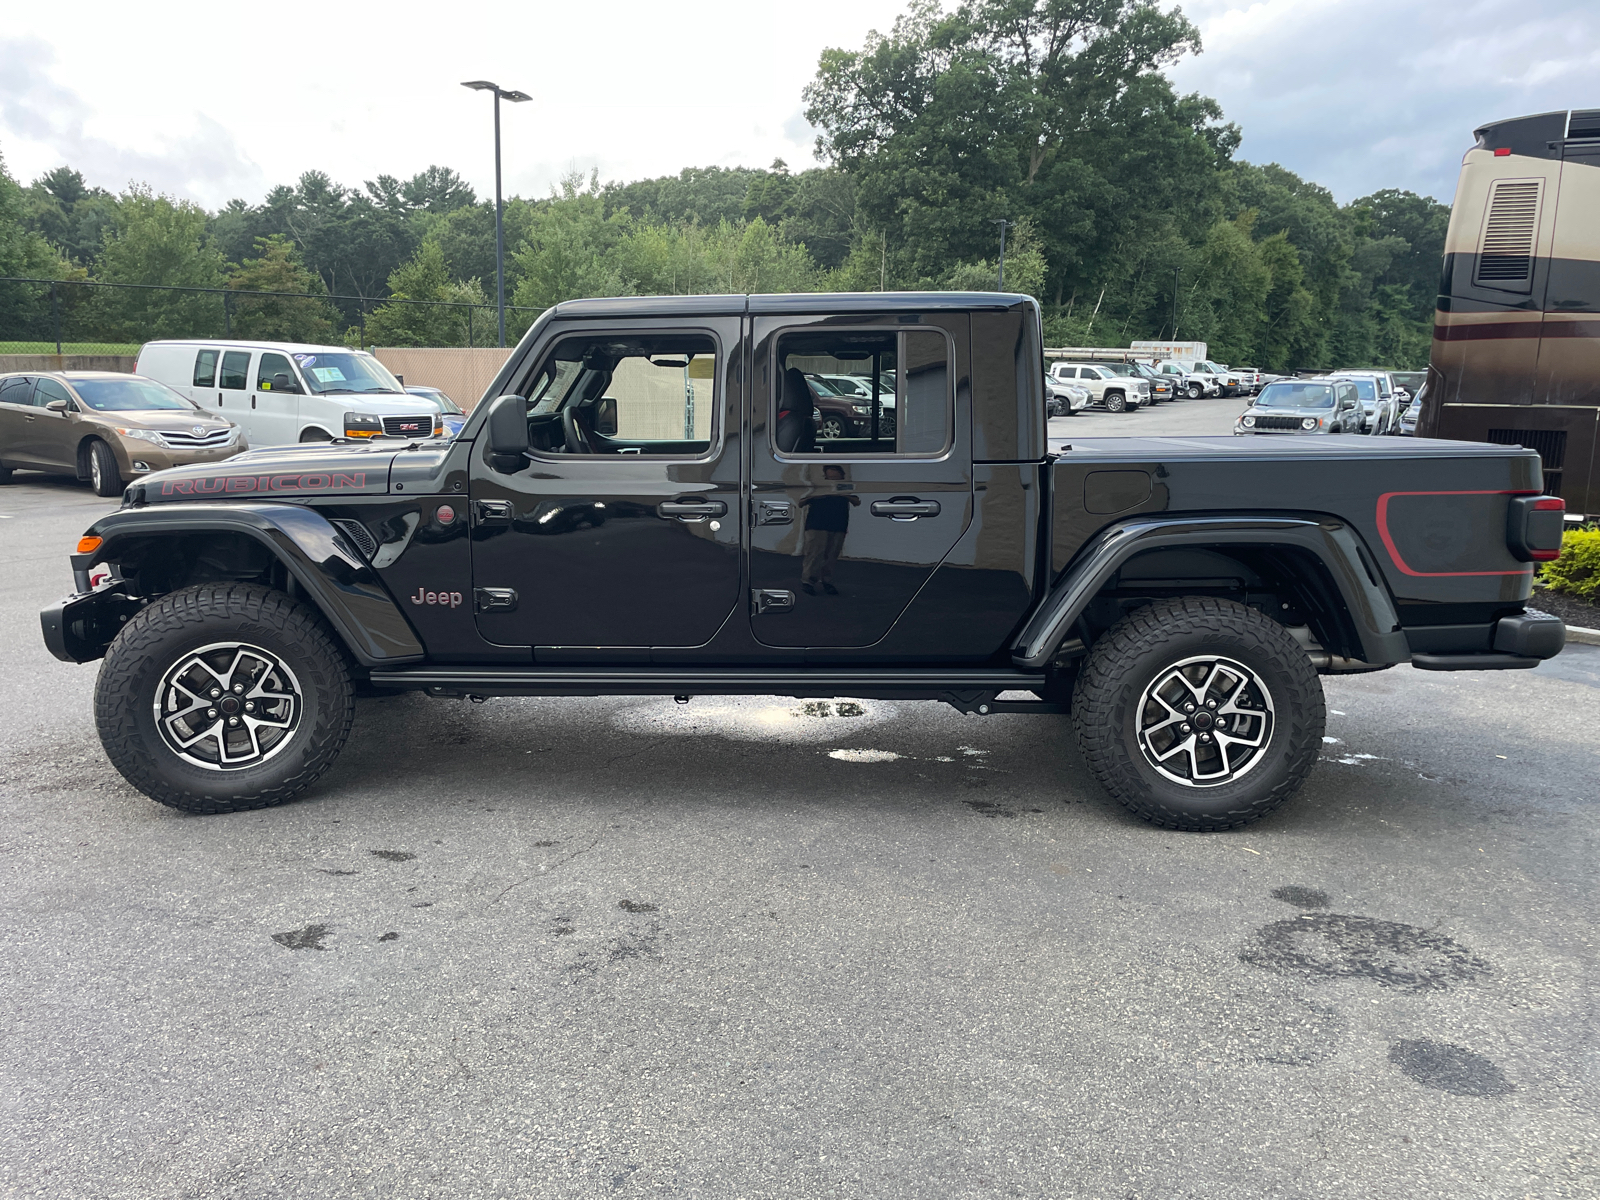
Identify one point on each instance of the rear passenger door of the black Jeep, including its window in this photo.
(849, 529)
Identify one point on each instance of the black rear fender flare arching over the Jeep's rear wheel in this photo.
(1330, 540)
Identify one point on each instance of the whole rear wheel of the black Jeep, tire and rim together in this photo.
(1199, 714)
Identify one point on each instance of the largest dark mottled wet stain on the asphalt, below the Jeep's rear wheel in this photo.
(1338, 946)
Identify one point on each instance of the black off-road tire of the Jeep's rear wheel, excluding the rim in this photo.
(1146, 644)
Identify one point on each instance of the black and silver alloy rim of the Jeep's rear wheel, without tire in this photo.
(1206, 722)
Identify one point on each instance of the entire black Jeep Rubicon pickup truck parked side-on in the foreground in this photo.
(647, 508)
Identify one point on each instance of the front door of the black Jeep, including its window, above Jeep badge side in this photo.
(620, 532)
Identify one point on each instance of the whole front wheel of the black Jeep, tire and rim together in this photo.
(223, 698)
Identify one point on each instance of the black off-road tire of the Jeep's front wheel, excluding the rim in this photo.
(161, 636)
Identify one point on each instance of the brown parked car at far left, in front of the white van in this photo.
(105, 428)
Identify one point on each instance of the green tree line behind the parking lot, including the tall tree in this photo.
(1127, 214)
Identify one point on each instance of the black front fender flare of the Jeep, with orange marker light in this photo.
(311, 550)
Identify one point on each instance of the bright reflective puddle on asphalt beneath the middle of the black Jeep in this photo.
(754, 718)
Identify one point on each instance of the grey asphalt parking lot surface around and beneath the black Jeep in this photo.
(758, 948)
